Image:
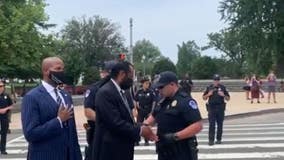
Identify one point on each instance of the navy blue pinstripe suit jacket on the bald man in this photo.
(47, 139)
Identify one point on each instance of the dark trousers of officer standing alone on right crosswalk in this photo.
(215, 116)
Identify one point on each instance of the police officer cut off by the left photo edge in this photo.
(6, 105)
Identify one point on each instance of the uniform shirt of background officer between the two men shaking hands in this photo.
(145, 98)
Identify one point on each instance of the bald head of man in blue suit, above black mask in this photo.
(51, 64)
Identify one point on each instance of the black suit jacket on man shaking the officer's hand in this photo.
(116, 132)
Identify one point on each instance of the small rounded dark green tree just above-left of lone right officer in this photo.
(203, 68)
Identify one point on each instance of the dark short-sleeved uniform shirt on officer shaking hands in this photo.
(176, 113)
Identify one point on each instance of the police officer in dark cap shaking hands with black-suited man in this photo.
(178, 120)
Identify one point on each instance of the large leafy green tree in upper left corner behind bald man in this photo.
(22, 46)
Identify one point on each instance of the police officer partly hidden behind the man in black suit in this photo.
(89, 103)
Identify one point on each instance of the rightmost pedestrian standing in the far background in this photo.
(271, 83)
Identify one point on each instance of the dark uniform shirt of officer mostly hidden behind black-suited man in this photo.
(90, 95)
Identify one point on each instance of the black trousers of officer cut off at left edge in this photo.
(4, 122)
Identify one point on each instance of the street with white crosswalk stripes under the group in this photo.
(258, 137)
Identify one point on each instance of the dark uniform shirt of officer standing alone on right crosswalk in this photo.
(216, 99)
